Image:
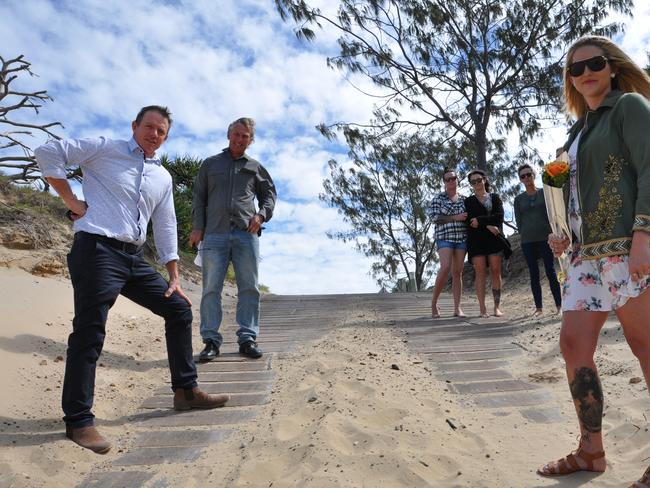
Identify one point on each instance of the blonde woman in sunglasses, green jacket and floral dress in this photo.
(609, 215)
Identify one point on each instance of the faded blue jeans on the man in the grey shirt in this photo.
(242, 248)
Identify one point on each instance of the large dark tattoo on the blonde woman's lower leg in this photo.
(586, 390)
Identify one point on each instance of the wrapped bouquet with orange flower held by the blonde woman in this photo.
(554, 177)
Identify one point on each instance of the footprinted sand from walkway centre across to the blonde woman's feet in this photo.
(340, 416)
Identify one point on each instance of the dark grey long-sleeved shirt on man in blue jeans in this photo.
(225, 190)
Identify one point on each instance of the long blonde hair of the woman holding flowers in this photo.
(629, 77)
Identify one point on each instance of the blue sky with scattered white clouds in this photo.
(212, 62)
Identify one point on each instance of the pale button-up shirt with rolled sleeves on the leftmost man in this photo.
(123, 190)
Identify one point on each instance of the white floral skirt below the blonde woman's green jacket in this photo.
(599, 285)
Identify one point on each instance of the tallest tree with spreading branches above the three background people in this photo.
(481, 68)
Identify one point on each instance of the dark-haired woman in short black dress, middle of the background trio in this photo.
(485, 241)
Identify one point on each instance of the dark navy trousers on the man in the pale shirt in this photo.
(100, 273)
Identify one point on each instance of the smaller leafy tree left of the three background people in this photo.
(385, 196)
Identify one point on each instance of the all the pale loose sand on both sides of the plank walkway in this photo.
(339, 415)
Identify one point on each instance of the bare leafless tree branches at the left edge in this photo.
(14, 131)
